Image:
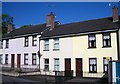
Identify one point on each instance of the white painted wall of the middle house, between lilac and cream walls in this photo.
(65, 51)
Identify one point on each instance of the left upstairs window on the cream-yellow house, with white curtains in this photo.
(92, 41)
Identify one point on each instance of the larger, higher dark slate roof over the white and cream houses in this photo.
(82, 27)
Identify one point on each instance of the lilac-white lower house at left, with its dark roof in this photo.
(19, 49)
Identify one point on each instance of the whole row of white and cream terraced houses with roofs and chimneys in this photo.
(85, 48)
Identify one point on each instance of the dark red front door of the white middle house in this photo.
(67, 67)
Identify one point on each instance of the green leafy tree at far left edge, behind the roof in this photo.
(6, 19)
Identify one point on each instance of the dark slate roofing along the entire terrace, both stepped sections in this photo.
(67, 29)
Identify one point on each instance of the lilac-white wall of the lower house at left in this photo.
(16, 46)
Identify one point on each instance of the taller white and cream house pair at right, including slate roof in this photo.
(81, 49)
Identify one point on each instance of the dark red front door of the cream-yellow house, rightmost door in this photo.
(79, 67)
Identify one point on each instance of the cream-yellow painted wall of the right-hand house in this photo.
(81, 50)
